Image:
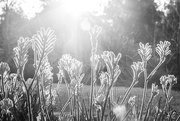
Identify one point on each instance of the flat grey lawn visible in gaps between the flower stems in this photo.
(119, 93)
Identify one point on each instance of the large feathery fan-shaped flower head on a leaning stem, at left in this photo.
(43, 43)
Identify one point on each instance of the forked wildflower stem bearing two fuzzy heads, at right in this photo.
(145, 52)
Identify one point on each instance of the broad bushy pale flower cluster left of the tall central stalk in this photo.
(74, 69)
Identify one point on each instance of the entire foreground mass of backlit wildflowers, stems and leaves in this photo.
(34, 99)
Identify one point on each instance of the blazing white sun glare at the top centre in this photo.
(79, 7)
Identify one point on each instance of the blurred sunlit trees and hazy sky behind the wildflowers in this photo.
(124, 24)
